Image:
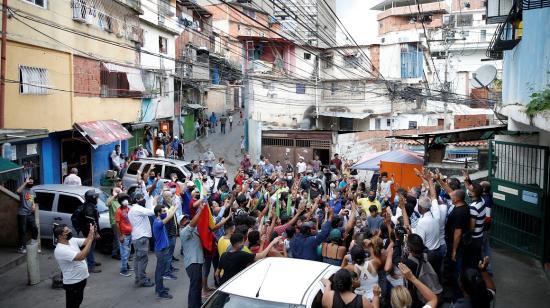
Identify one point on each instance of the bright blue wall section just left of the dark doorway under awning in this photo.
(51, 160)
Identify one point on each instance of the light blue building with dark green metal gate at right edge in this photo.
(520, 159)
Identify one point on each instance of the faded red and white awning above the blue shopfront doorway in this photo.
(102, 132)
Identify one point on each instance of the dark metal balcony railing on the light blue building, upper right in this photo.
(508, 34)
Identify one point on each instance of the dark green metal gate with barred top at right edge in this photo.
(519, 181)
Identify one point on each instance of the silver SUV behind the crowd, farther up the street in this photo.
(162, 166)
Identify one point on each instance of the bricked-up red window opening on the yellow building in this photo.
(87, 76)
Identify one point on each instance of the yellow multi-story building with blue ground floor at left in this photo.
(72, 68)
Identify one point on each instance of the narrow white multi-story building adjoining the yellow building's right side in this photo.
(157, 59)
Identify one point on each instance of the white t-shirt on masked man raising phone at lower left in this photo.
(73, 271)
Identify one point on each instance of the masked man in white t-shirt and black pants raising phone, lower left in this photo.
(72, 262)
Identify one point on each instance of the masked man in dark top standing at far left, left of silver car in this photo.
(25, 214)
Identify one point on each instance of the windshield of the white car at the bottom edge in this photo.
(226, 300)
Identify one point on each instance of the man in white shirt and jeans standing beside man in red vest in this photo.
(138, 215)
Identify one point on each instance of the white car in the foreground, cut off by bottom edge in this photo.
(274, 283)
